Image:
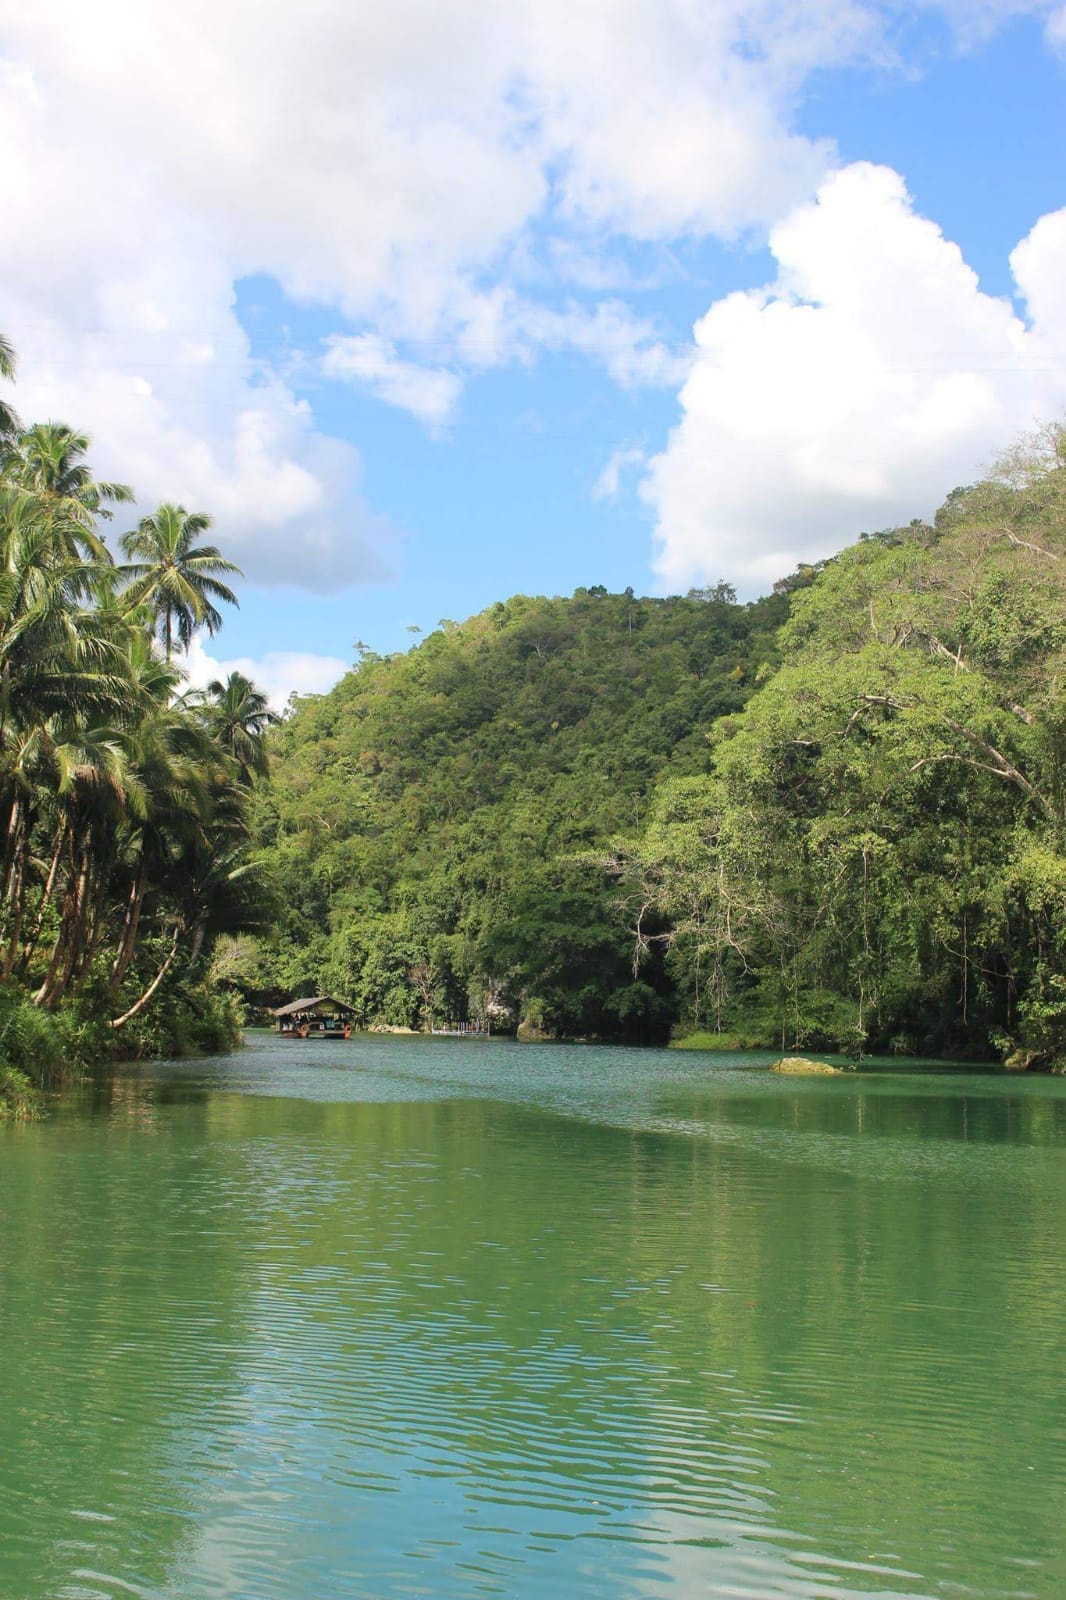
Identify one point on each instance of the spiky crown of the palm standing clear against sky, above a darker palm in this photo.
(175, 575)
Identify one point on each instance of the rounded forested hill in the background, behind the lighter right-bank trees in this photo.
(438, 825)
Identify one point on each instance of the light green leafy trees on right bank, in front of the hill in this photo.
(878, 855)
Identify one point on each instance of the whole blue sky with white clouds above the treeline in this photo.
(435, 303)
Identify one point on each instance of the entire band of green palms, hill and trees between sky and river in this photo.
(830, 822)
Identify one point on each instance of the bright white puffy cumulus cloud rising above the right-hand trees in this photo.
(851, 394)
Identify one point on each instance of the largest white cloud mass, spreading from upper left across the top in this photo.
(411, 166)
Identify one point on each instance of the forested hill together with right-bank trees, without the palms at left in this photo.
(830, 818)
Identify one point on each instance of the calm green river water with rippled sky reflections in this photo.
(407, 1318)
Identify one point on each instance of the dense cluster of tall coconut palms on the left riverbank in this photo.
(124, 796)
